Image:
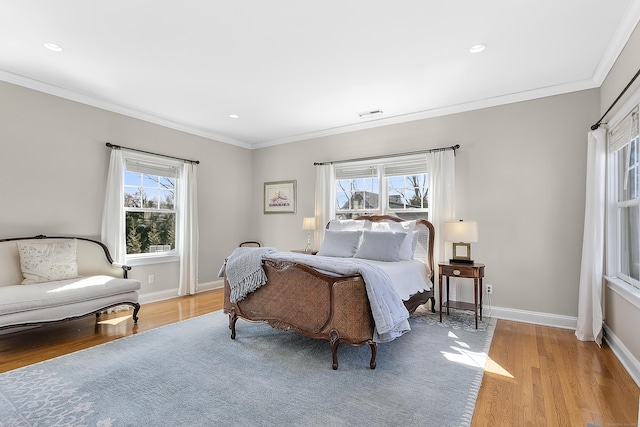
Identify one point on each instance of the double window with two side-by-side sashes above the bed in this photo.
(397, 187)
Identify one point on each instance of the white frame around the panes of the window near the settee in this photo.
(157, 164)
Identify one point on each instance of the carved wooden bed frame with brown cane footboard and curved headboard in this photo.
(299, 298)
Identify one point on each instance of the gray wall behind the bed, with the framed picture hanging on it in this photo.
(520, 173)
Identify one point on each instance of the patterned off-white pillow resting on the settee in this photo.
(44, 262)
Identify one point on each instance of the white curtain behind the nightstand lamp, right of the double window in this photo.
(442, 194)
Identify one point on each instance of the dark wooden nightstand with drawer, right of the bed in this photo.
(473, 271)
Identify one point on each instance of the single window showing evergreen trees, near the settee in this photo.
(150, 207)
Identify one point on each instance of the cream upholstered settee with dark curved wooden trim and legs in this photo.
(48, 279)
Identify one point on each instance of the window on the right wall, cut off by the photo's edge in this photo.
(624, 148)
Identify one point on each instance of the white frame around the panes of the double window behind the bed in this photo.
(381, 166)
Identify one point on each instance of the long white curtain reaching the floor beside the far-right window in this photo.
(589, 327)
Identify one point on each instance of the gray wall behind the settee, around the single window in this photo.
(54, 164)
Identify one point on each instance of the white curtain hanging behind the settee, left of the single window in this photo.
(113, 220)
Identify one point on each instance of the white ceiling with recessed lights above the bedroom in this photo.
(296, 69)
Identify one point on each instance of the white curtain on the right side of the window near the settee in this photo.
(188, 230)
